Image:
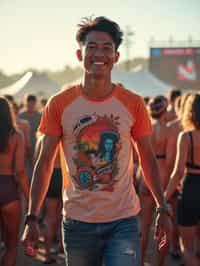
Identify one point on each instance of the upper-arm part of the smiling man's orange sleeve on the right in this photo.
(142, 123)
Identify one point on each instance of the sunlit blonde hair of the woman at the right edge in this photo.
(191, 115)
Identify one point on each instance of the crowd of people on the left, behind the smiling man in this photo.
(19, 148)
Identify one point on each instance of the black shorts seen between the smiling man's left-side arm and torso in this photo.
(55, 186)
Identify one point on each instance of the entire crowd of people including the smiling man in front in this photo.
(92, 131)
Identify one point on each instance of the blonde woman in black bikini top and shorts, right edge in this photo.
(188, 163)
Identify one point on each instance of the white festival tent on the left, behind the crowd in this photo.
(31, 82)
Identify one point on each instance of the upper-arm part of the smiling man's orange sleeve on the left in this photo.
(50, 123)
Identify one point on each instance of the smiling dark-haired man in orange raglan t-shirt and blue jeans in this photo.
(100, 204)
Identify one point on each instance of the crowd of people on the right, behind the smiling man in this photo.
(172, 118)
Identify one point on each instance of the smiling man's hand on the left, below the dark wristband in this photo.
(30, 238)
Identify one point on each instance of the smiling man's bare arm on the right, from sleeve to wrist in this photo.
(150, 168)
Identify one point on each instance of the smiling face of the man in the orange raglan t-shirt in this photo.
(98, 54)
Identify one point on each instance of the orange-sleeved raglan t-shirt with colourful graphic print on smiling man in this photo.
(96, 137)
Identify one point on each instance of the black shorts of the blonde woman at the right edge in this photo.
(188, 207)
